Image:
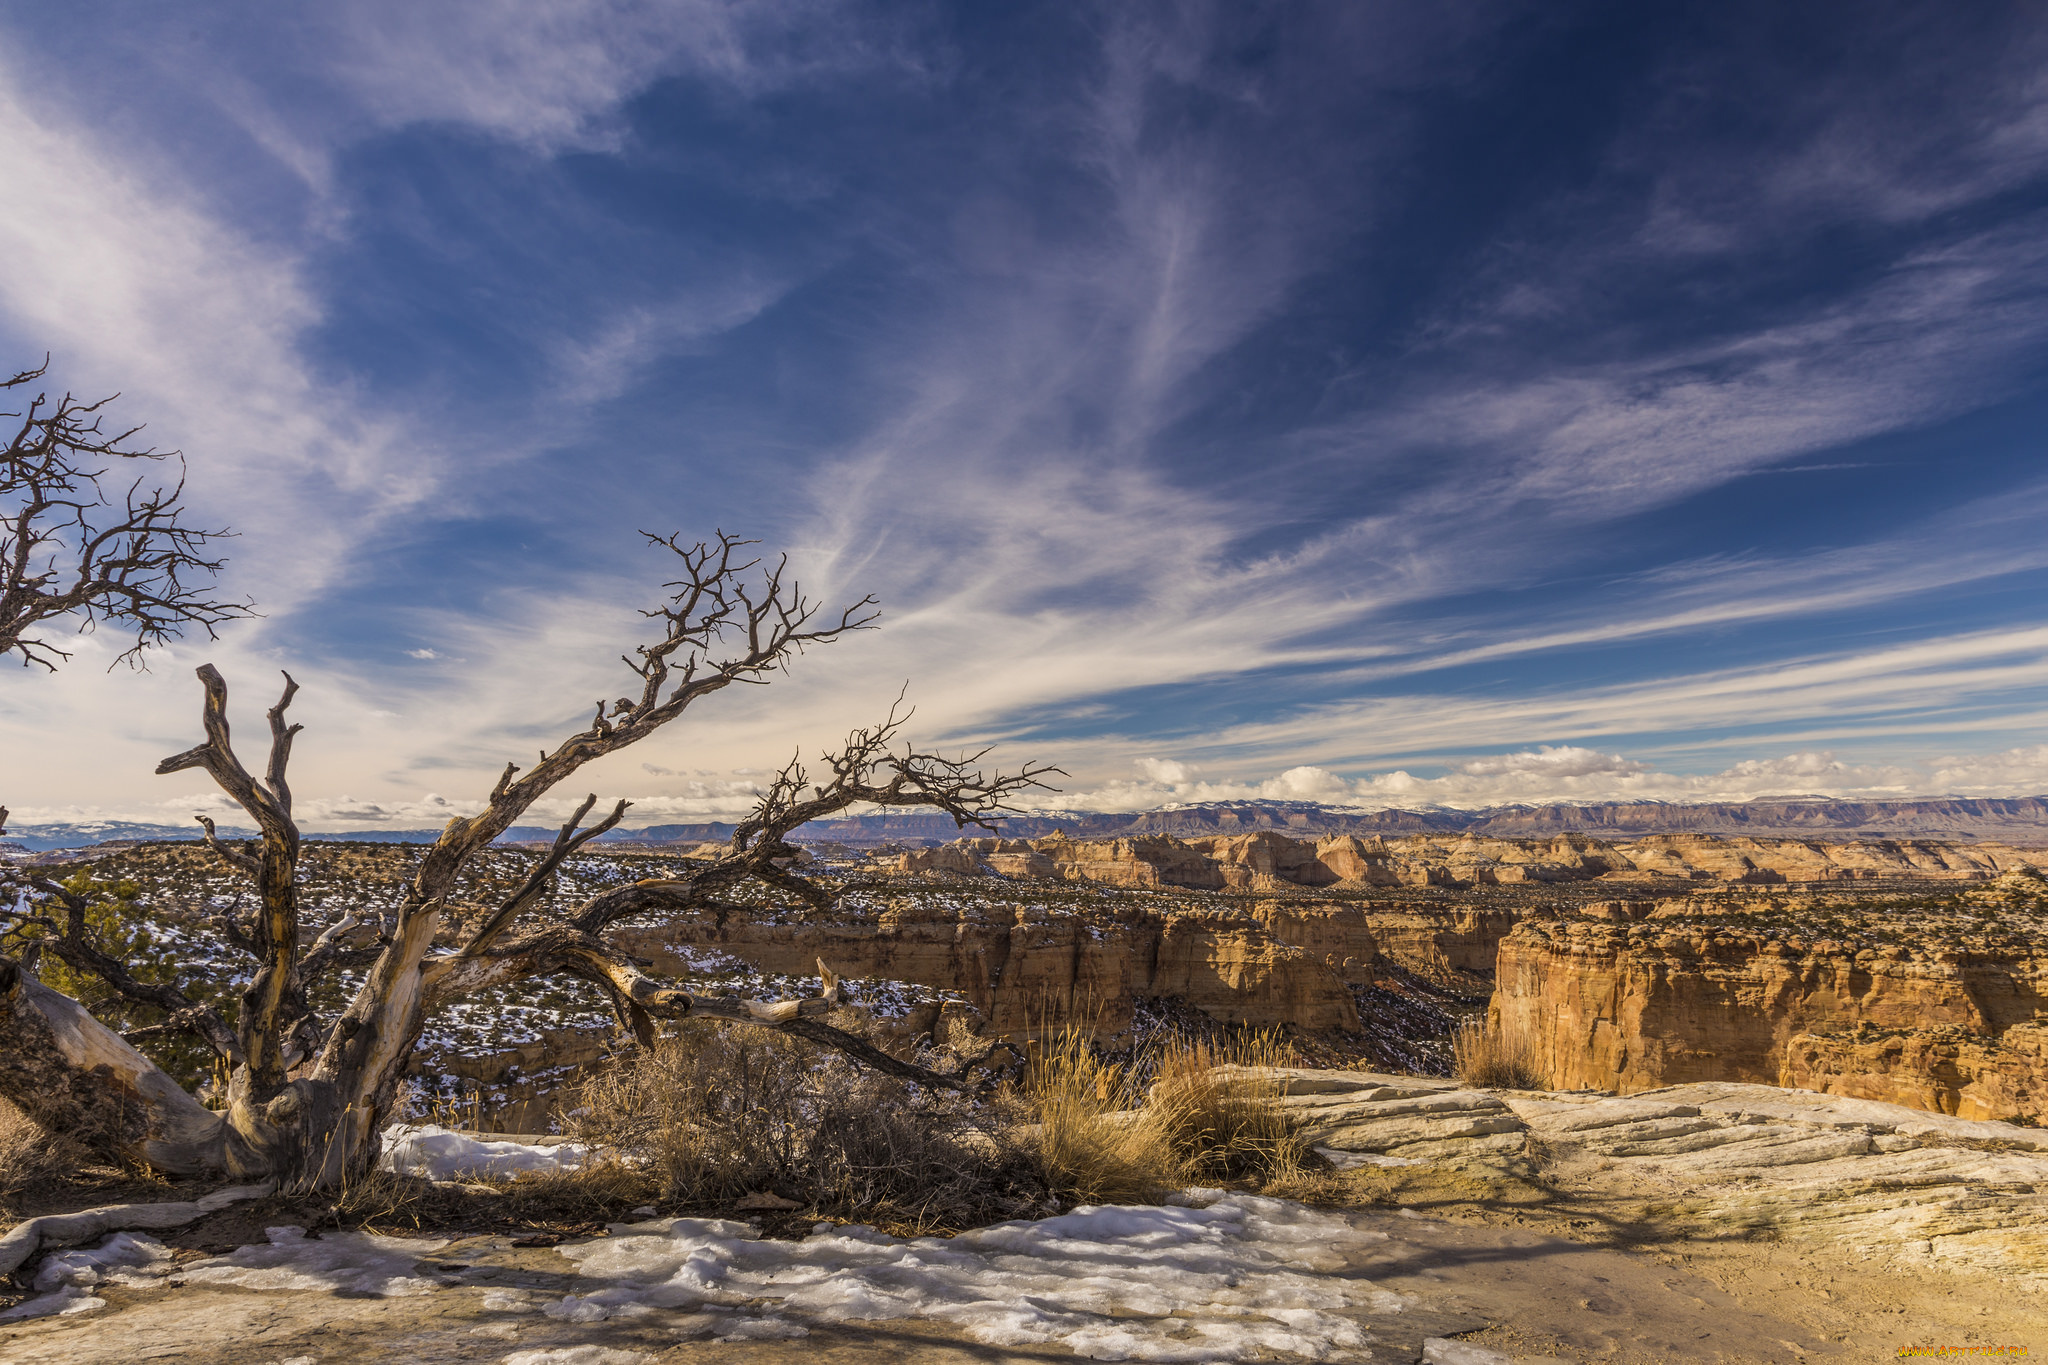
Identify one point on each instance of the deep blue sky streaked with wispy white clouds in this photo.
(1355, 402)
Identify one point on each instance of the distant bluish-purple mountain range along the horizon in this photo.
(1949, 818)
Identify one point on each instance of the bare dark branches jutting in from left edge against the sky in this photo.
(75, 545)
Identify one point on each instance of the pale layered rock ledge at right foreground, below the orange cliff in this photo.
(1879, 1182)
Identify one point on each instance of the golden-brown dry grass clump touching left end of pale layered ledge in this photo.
(1218, 1100)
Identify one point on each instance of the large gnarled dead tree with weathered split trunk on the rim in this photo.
(308, 1098)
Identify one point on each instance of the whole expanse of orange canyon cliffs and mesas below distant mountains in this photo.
(1900, 971)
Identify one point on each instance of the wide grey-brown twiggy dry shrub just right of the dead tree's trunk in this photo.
(712, 1114)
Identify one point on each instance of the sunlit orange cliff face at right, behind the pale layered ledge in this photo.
(1932, 1012)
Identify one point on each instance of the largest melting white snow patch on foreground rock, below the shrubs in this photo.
(1228, 1282)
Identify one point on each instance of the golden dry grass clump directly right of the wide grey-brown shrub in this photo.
(1099, 1141)
